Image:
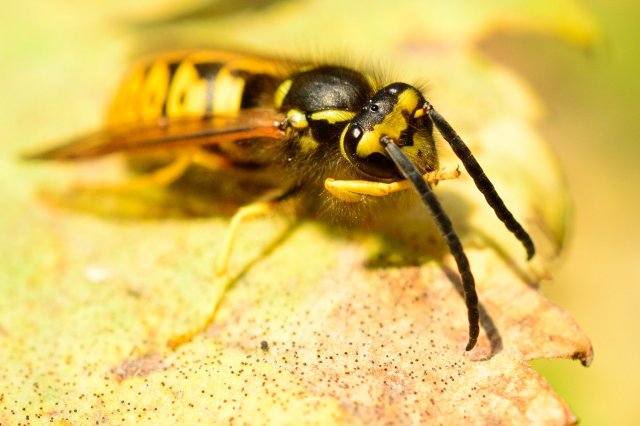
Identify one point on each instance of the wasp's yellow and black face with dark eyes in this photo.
(391, 113)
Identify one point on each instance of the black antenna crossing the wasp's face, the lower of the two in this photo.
(411, 173)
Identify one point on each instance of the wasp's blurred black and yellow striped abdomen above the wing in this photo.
(195, 85)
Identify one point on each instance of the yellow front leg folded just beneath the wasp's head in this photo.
(353, 190)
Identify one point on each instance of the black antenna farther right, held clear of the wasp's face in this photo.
(480, 178)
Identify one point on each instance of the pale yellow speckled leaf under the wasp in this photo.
(318, 326)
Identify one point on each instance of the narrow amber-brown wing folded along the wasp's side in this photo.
(169, 134)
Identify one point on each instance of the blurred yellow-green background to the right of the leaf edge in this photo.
(593, 124)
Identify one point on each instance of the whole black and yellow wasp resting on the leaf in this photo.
(324, 131)
